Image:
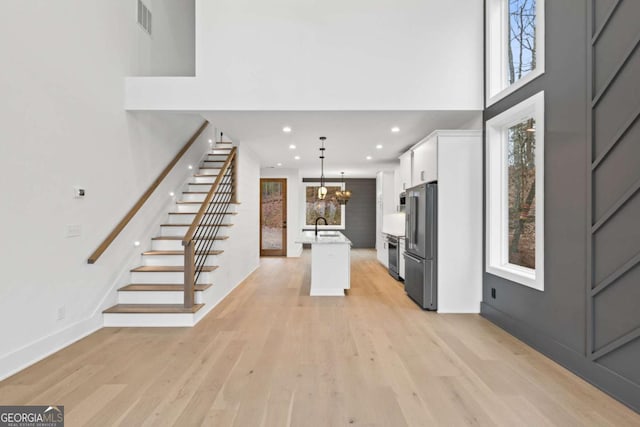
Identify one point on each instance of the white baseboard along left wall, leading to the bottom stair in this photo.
(20, 359)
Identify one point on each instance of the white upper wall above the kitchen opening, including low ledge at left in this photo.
(329, 55)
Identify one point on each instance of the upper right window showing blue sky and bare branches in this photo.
(515, 45)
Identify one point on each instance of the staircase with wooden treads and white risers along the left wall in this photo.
(155, 295)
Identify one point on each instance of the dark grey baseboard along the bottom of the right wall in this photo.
(604, 379)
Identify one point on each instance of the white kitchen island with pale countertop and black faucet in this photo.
(330, 262)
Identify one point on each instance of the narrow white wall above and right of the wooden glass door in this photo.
(294, 188)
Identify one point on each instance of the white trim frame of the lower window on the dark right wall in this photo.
(497, 241)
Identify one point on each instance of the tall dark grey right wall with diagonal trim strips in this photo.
(588, 317)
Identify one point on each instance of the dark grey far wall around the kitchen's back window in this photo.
(360, 226)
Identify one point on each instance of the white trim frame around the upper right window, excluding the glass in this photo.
(496, 40)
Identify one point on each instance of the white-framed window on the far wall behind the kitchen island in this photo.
(329, 208)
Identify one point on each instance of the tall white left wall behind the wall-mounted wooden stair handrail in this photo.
(63, 124)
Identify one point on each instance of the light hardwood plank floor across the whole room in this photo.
(270, 355)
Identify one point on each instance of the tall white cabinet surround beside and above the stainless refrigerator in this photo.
(454, 159)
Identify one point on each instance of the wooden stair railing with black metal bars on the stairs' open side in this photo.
(206, 225)
